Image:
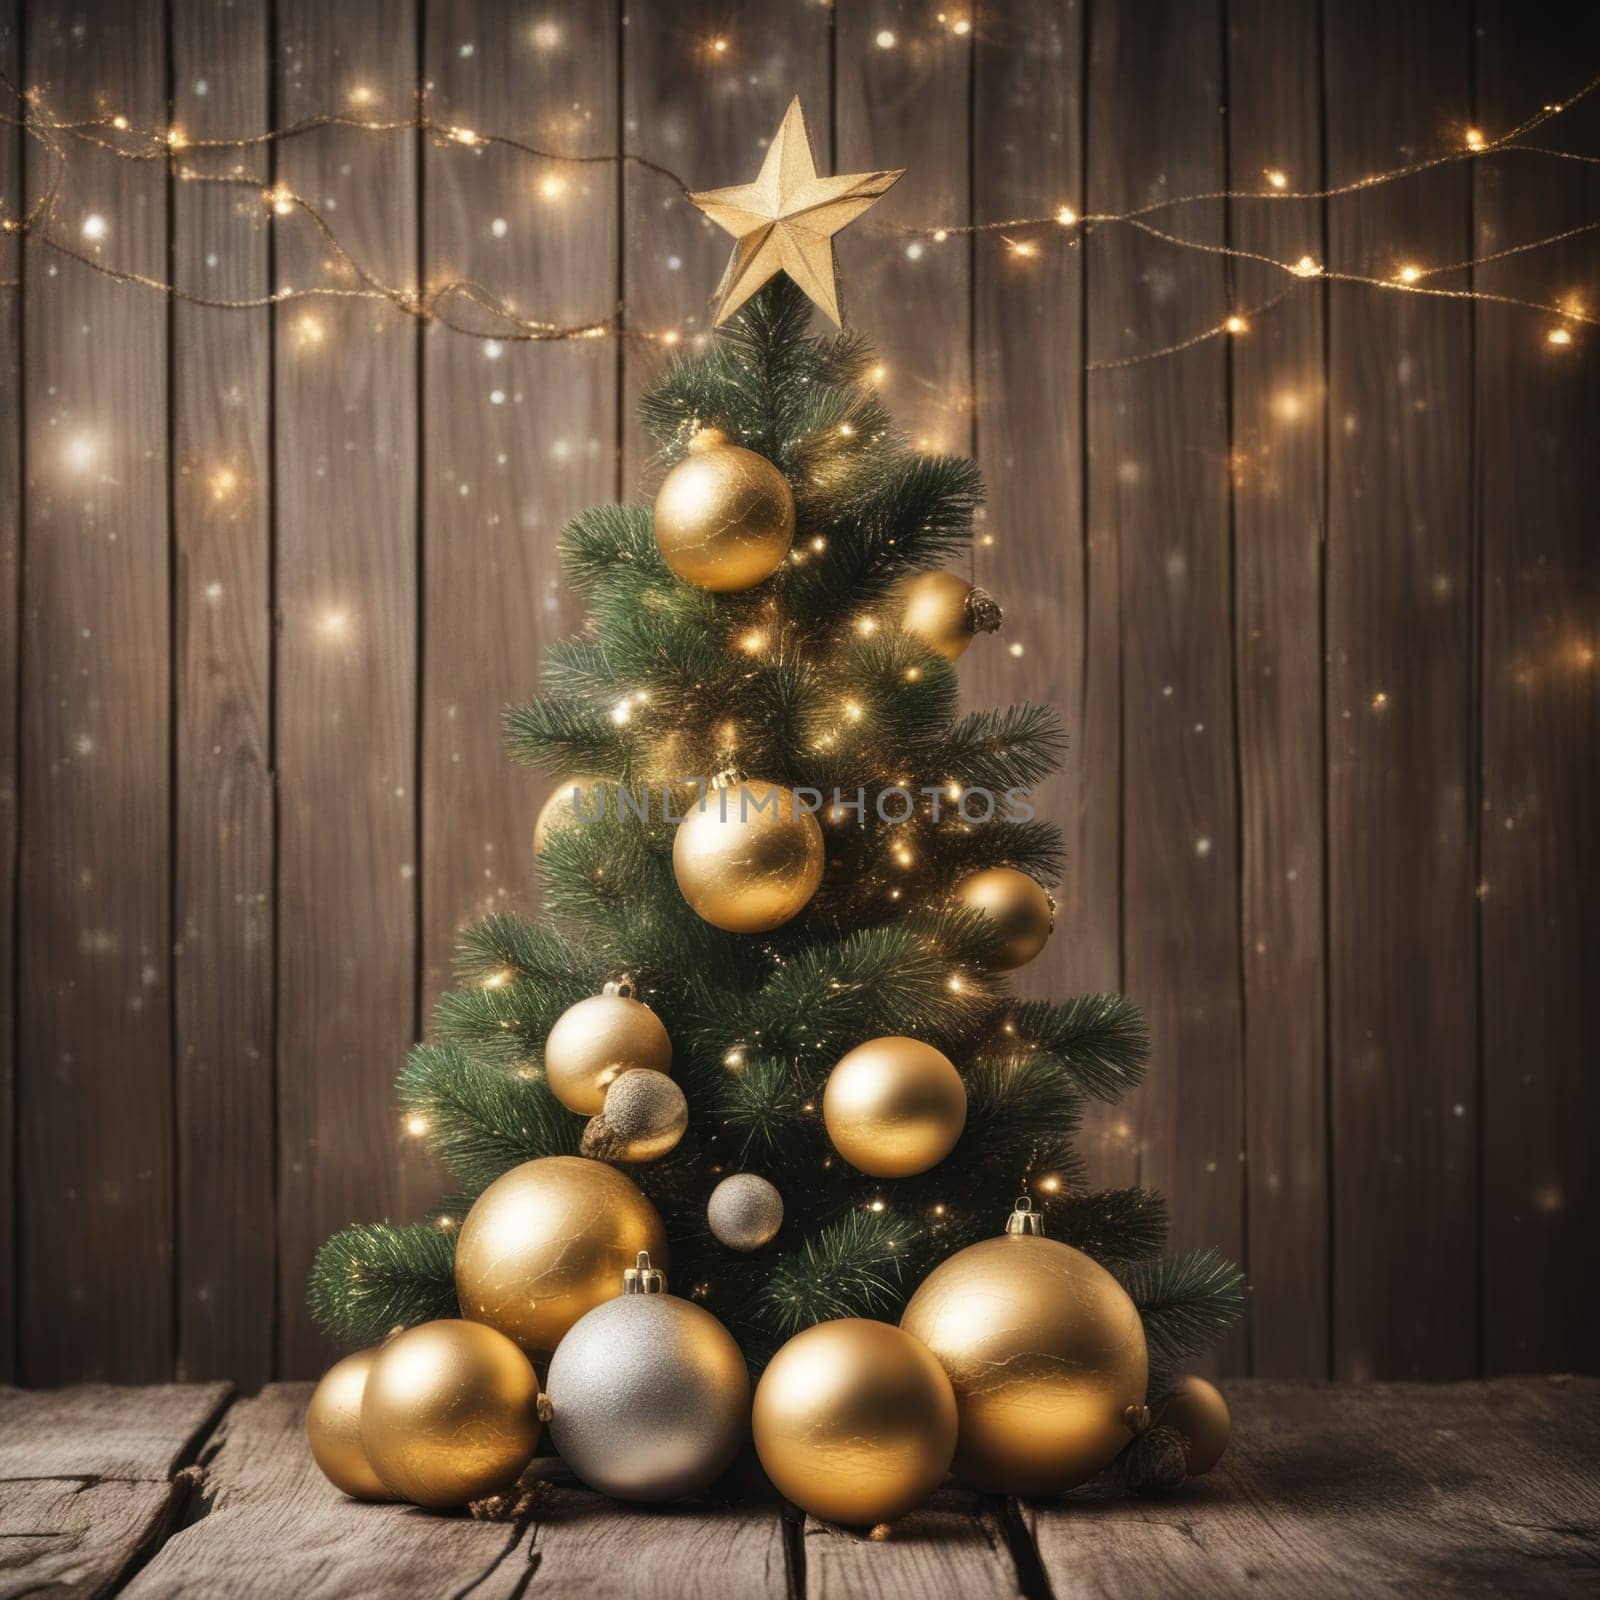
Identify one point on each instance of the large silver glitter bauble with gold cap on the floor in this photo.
(649, 1396)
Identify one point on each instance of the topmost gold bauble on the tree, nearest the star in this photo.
(726, 516)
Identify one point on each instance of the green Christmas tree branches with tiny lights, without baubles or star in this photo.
(814, 681)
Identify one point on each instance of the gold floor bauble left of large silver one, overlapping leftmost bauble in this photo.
(450, 1414)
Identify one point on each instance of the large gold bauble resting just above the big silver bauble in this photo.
(548, 1242)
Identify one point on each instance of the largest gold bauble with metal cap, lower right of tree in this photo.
(1046, 1353)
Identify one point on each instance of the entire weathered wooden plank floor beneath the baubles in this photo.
(1463, 1489)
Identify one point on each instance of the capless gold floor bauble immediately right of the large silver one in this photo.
(855, 1422)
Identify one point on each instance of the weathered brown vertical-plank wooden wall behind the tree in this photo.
(1321, 606)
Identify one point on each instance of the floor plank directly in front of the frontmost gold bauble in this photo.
(951, 1546)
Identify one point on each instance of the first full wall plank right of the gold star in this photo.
(1060, 639)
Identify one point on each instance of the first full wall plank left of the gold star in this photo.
(518, 436)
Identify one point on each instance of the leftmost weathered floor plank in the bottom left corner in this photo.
(89, 1478)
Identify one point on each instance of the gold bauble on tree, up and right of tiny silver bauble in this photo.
(895, 1106)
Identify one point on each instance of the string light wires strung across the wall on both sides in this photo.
(446, 303)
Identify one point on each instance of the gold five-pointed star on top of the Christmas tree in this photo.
(788, 218)
